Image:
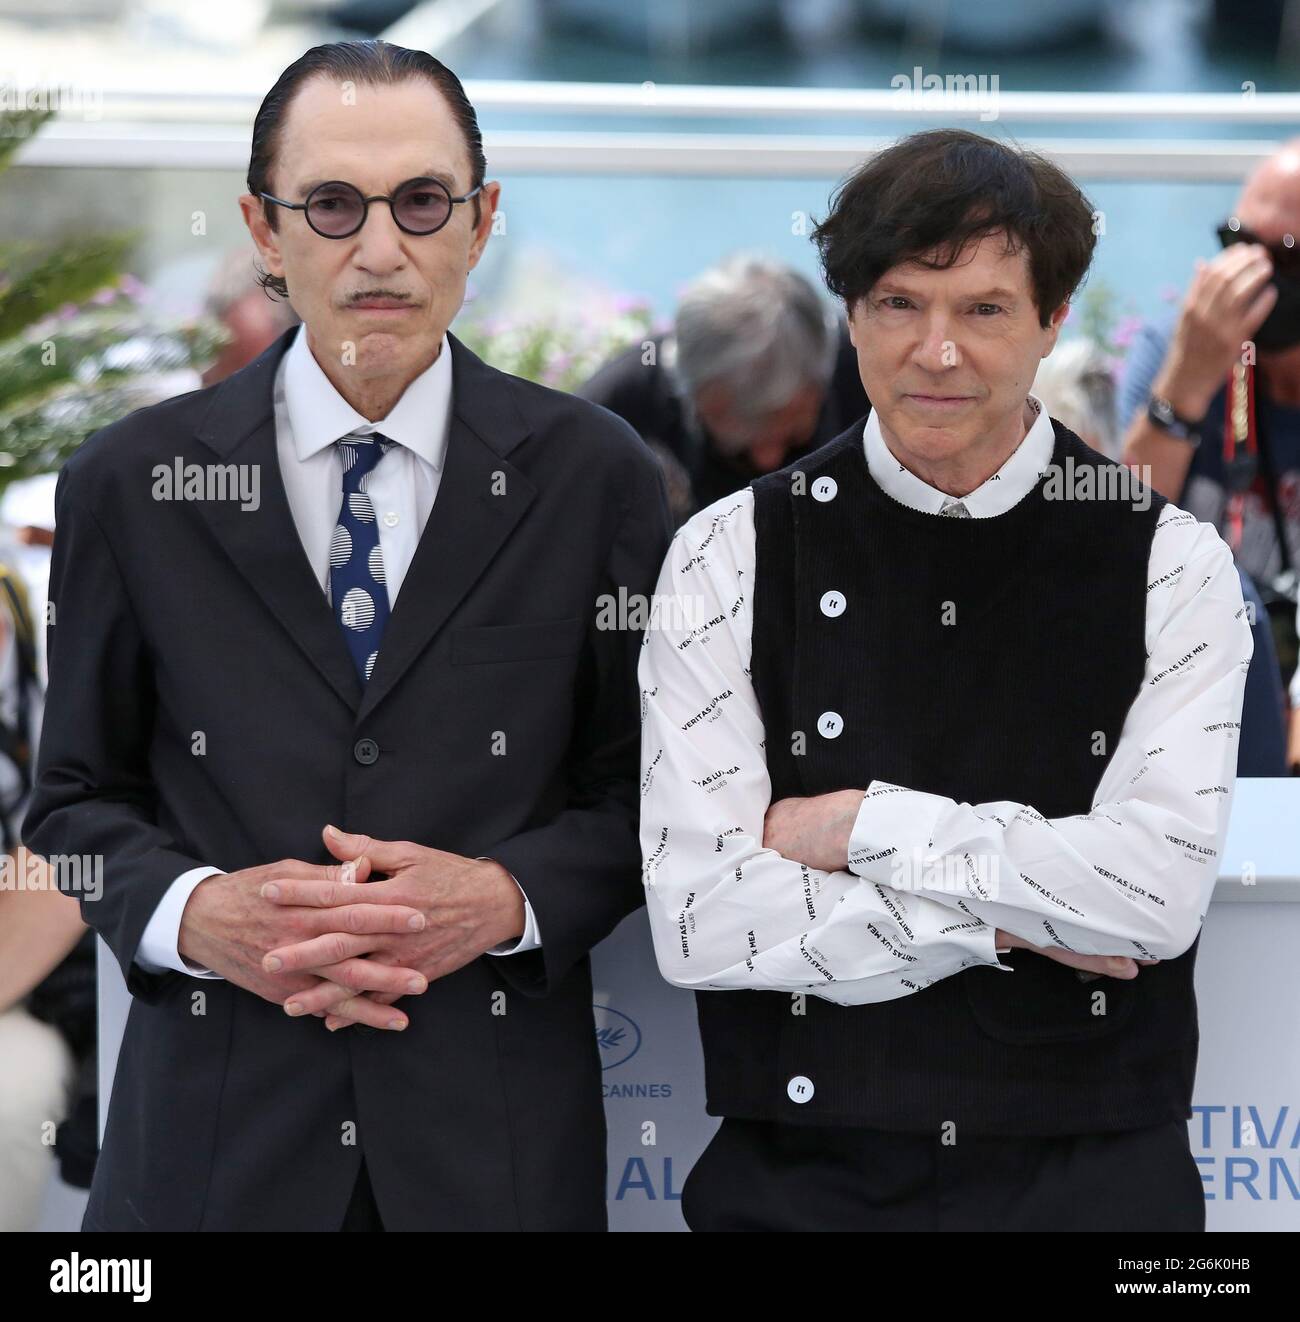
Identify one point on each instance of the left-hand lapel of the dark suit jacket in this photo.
(264, 544)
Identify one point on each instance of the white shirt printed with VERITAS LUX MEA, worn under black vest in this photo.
(1133, 877)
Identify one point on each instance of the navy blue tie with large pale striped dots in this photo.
(356, 564)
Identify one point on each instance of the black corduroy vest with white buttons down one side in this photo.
(1018, 692)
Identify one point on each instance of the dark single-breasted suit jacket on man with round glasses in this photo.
(178, 619)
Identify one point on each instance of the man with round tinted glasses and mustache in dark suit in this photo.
(355, 641)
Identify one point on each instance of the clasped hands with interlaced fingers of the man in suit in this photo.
(309, 938)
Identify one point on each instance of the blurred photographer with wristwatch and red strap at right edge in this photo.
(1212, 403)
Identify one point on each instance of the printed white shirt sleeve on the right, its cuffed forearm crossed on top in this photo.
(1135, 876)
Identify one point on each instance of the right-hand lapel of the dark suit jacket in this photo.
(481, 500)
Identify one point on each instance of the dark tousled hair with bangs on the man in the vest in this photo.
(932, 194)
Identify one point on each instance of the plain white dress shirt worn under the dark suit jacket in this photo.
(310, 417)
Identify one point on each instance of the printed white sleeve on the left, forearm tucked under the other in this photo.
(724, 912)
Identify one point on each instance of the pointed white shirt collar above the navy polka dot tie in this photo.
(319, 416)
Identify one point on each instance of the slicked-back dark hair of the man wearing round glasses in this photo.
(372, 63)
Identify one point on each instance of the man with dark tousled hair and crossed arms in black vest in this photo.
(965, 689)
